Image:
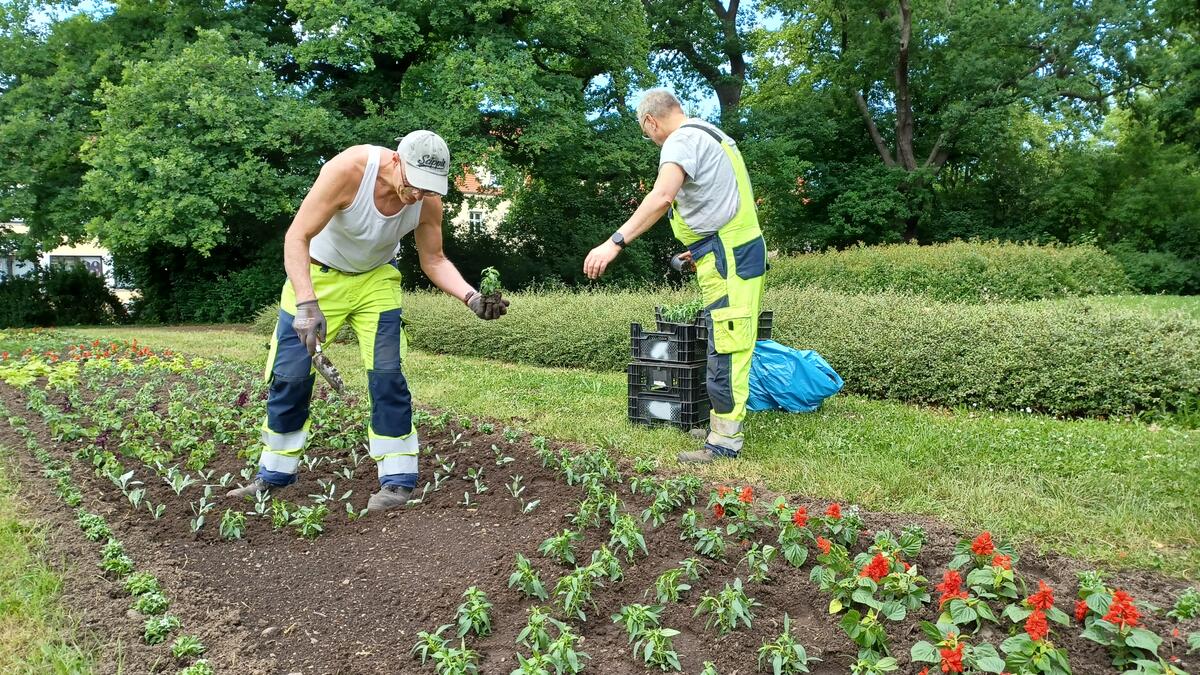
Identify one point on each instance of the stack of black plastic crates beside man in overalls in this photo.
(669, 373)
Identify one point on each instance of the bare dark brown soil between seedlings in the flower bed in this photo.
(353, 600)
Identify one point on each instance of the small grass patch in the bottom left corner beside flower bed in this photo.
(35, 629)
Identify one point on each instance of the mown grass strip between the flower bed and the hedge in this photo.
(1117, 493)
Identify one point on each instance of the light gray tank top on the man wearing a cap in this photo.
(359, 238)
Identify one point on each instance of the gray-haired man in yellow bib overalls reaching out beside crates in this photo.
(704, 184)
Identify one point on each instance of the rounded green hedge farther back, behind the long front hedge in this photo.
(958, 272)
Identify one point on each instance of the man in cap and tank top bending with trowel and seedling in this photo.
(338, 255)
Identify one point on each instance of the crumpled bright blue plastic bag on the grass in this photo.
(787, 379)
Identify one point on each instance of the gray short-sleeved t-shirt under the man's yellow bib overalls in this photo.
(709, 198)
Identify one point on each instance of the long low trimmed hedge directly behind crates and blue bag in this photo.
(1069, 359)
